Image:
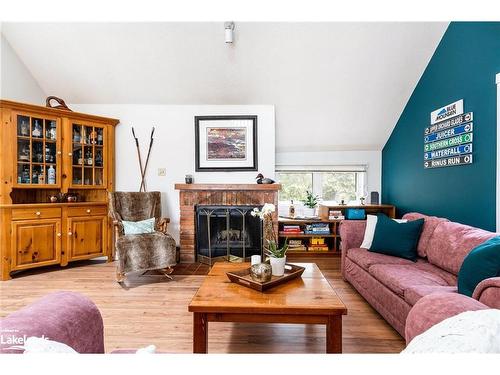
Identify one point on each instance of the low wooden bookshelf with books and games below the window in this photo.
(332, 239)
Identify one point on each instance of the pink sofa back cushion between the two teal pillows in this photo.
(451, 242)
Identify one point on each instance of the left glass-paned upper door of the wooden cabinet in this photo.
(37, 151)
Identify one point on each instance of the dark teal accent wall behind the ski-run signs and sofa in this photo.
(463, 66)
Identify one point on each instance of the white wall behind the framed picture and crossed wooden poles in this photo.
(173, 147)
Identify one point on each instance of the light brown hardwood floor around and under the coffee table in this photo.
(149, 309)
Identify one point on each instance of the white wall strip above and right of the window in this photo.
(372, 160)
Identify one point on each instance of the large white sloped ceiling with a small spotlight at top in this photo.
(335, 86)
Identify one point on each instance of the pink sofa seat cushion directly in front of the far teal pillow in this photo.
(398, 278)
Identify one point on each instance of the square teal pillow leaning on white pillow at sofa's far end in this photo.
(397, 239)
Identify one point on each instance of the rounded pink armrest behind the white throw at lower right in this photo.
(434, 308)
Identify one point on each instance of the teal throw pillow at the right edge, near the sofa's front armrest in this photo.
(481, 263)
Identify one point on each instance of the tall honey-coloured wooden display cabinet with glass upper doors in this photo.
(46, 152)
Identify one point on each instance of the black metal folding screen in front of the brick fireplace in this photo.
(227, 233)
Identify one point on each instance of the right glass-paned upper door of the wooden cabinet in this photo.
(88, 155)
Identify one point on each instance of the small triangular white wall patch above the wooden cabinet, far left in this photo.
(16, 82)
